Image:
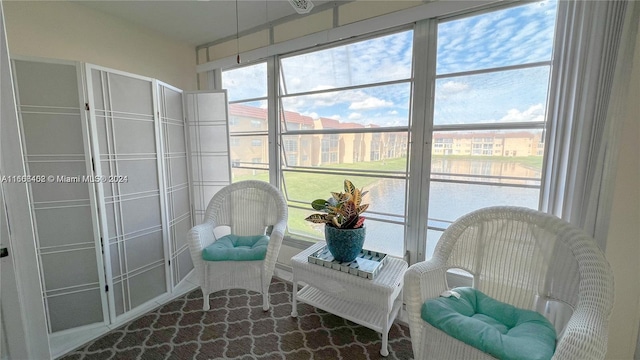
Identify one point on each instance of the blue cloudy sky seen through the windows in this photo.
(464, 92)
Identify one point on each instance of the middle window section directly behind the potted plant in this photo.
(342, 110)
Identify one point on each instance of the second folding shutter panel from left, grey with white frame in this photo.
(126, 141)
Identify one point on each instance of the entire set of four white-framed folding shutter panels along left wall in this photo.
(112, 199)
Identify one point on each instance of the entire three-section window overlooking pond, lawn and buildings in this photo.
(344, 112)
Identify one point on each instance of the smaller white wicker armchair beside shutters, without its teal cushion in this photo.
(247, 208)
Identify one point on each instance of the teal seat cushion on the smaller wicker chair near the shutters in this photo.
(237, 248)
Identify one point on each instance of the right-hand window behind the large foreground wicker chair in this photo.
(491, 87)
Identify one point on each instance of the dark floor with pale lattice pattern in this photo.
(237, 328)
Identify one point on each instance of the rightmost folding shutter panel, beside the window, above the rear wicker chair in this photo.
(207, 116)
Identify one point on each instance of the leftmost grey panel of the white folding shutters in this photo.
(55, 144)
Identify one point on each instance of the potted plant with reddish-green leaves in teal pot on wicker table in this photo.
(344, 226)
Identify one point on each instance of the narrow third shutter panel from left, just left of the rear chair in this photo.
(174, 148)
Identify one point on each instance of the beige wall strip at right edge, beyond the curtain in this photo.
(623, 242)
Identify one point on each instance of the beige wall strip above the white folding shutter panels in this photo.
(63, 30)
